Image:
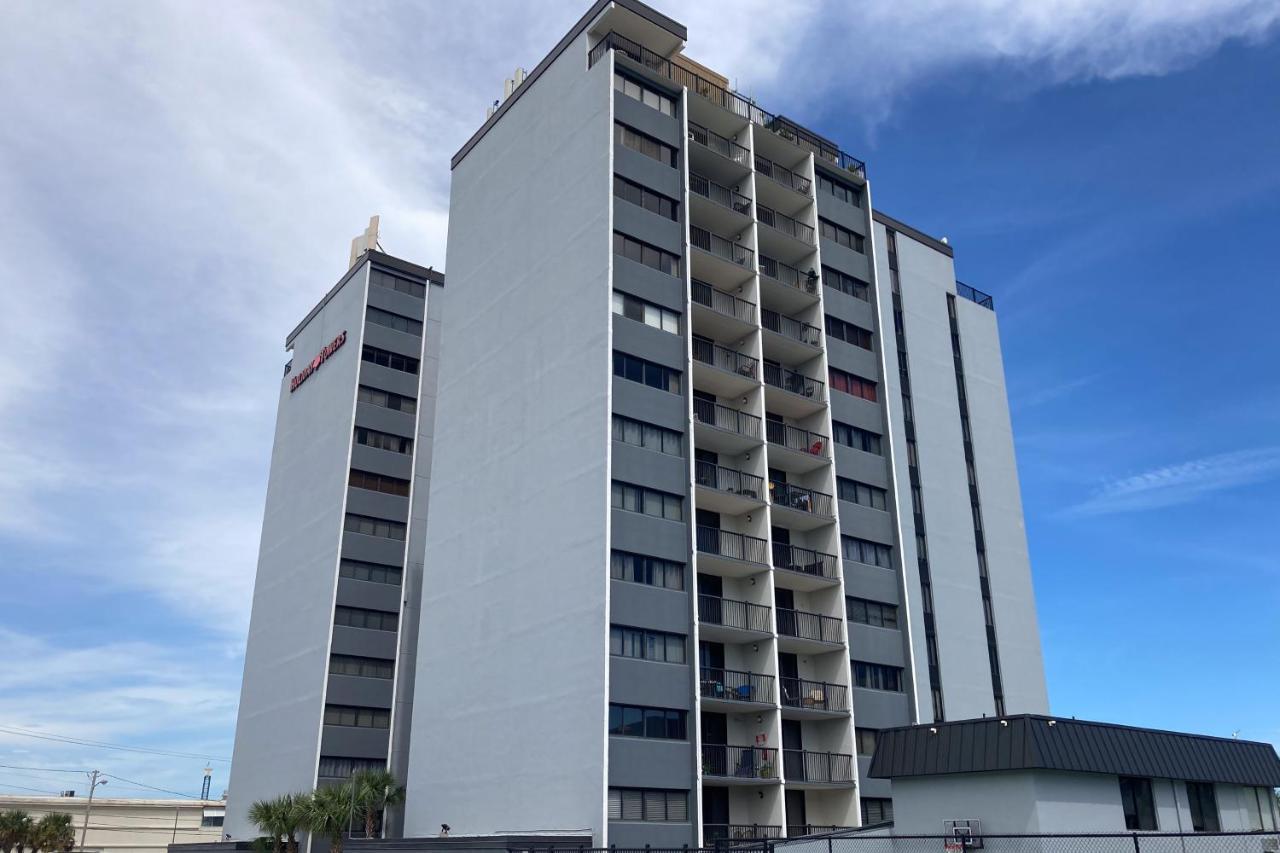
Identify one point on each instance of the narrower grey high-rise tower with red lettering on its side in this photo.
(330, 667)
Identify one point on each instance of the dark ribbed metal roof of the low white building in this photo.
(1031, 742)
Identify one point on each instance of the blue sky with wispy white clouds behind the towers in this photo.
(180, 184)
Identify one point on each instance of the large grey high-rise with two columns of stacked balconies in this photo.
(724, 472)
